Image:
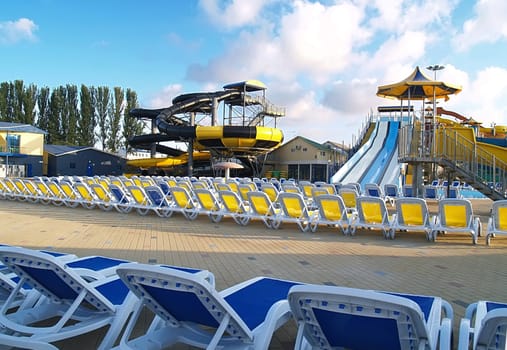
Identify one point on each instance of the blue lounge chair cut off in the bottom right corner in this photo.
(484, 326)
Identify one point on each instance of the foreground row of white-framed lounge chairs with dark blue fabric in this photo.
(71, 296)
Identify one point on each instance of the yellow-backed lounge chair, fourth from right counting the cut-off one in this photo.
(371, 213)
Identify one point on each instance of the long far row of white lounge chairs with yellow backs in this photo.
(306, 205)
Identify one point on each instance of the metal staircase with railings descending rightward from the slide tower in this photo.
(457, 155)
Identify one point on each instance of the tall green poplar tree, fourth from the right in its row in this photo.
(86, 124)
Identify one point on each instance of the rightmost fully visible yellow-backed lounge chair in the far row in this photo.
(456, 215)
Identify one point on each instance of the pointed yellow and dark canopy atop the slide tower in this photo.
(417, 86)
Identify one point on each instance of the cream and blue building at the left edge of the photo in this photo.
(21, 149)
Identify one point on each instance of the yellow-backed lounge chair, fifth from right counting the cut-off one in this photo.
(331, 212)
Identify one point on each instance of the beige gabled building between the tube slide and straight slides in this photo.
(303, 159)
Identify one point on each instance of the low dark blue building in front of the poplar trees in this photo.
(81, 160)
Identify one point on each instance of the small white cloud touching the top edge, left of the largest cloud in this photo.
(236, 13)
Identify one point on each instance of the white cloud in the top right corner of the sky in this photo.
(488, 25)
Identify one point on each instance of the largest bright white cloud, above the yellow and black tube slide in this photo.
(310, 39)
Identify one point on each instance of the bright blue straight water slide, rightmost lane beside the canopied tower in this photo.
(383, 159)
